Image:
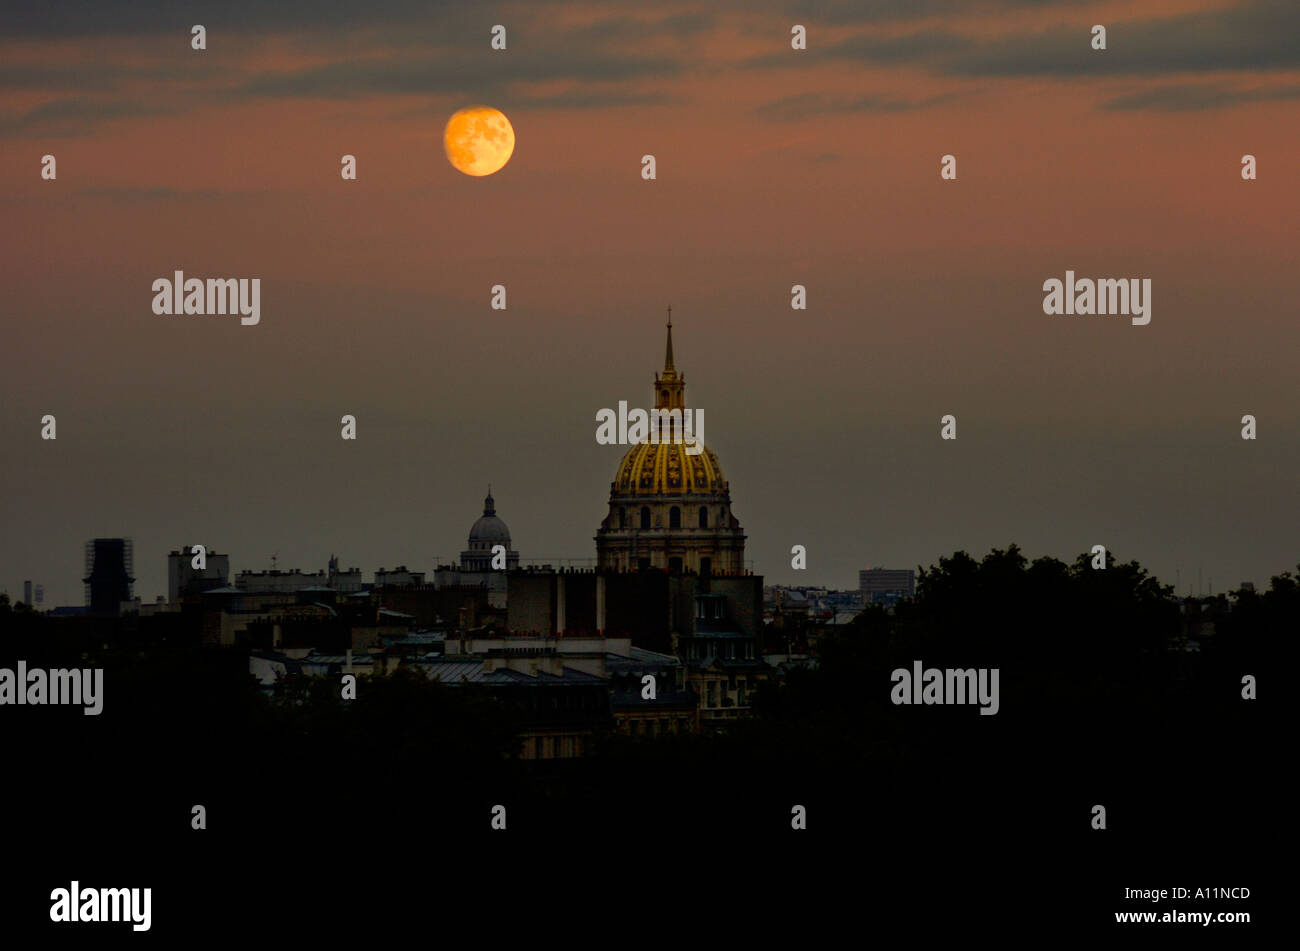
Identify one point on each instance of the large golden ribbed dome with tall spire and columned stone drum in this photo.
(670, 510)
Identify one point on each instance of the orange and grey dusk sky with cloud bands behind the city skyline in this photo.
(774, 168)
